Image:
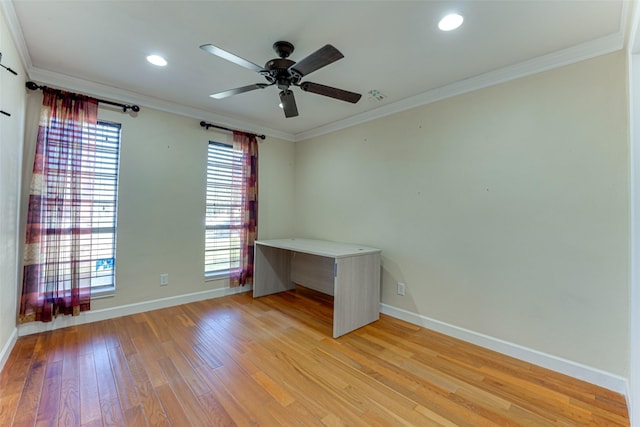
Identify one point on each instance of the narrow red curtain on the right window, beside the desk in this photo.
(245, 221)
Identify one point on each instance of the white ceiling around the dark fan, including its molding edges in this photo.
(394, 47)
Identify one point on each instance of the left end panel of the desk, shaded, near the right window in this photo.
(272, 271)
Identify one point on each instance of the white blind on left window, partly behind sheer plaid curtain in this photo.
(88, 218)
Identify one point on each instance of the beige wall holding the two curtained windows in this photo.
(161, 201)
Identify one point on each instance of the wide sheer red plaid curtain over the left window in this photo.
(56, 258)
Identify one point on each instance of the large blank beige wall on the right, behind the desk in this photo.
(504, 210)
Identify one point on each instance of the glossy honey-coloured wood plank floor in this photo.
(272, 362)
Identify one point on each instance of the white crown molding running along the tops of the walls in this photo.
(584, 51)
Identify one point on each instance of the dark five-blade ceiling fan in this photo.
(285, 73)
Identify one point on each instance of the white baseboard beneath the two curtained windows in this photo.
(125, 310)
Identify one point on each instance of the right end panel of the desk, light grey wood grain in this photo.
(357, 293)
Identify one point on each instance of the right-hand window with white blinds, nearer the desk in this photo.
(224, 202)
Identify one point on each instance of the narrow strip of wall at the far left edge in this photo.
(12, 100)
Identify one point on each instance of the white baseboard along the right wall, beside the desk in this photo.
(576, 370)
